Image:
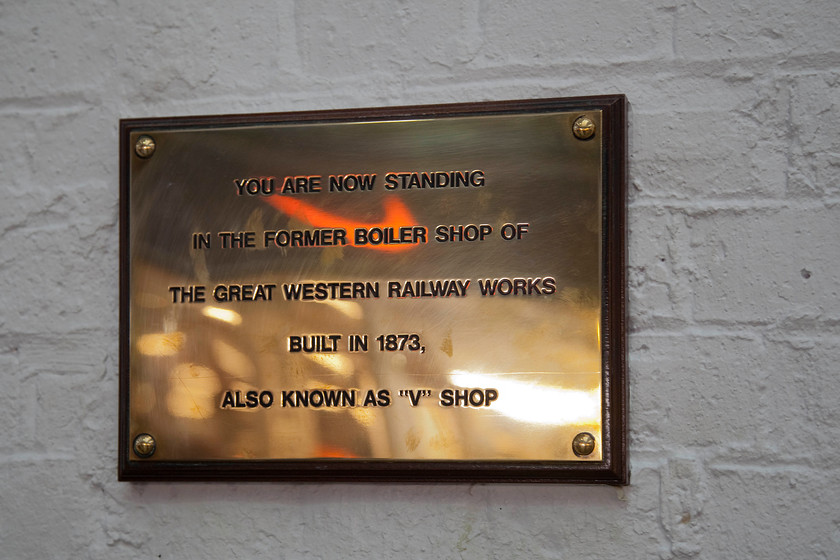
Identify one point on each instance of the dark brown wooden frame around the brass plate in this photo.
(613, 469)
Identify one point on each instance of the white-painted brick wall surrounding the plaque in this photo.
(734, 213)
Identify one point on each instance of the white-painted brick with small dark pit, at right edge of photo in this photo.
(764, 265)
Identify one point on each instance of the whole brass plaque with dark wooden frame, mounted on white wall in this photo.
(428, 293)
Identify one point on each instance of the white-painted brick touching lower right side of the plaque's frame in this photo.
(757, 397)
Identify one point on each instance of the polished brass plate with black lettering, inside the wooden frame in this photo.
(541, 352)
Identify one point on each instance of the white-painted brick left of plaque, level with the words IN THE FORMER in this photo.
(65, 252)
